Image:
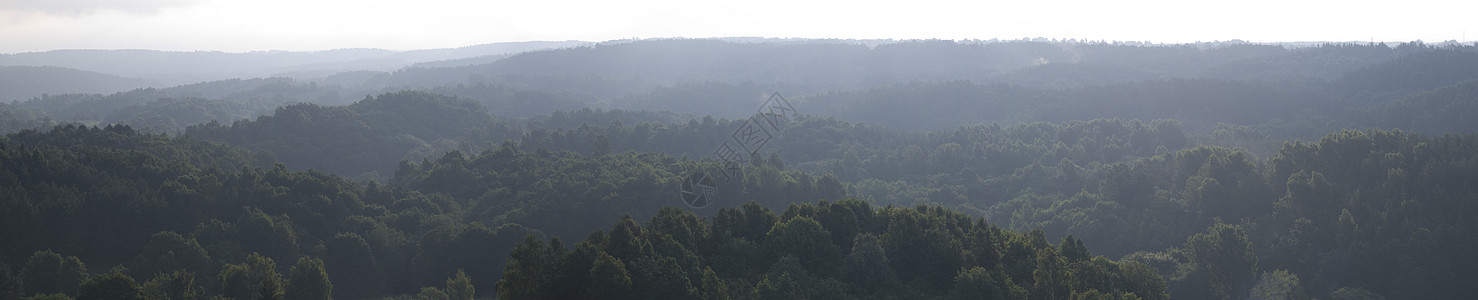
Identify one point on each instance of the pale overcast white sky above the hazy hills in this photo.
(246, 26)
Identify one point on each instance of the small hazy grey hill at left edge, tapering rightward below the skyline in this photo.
(20, 83)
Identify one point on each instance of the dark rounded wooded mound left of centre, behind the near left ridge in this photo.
(364, 140)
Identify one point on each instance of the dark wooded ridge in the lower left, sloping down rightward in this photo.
(157, 209)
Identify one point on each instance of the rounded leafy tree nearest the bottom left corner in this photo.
(48, 273)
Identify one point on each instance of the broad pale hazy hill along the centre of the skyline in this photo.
(803, 67)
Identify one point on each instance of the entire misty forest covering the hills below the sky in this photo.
(1026, 169)
